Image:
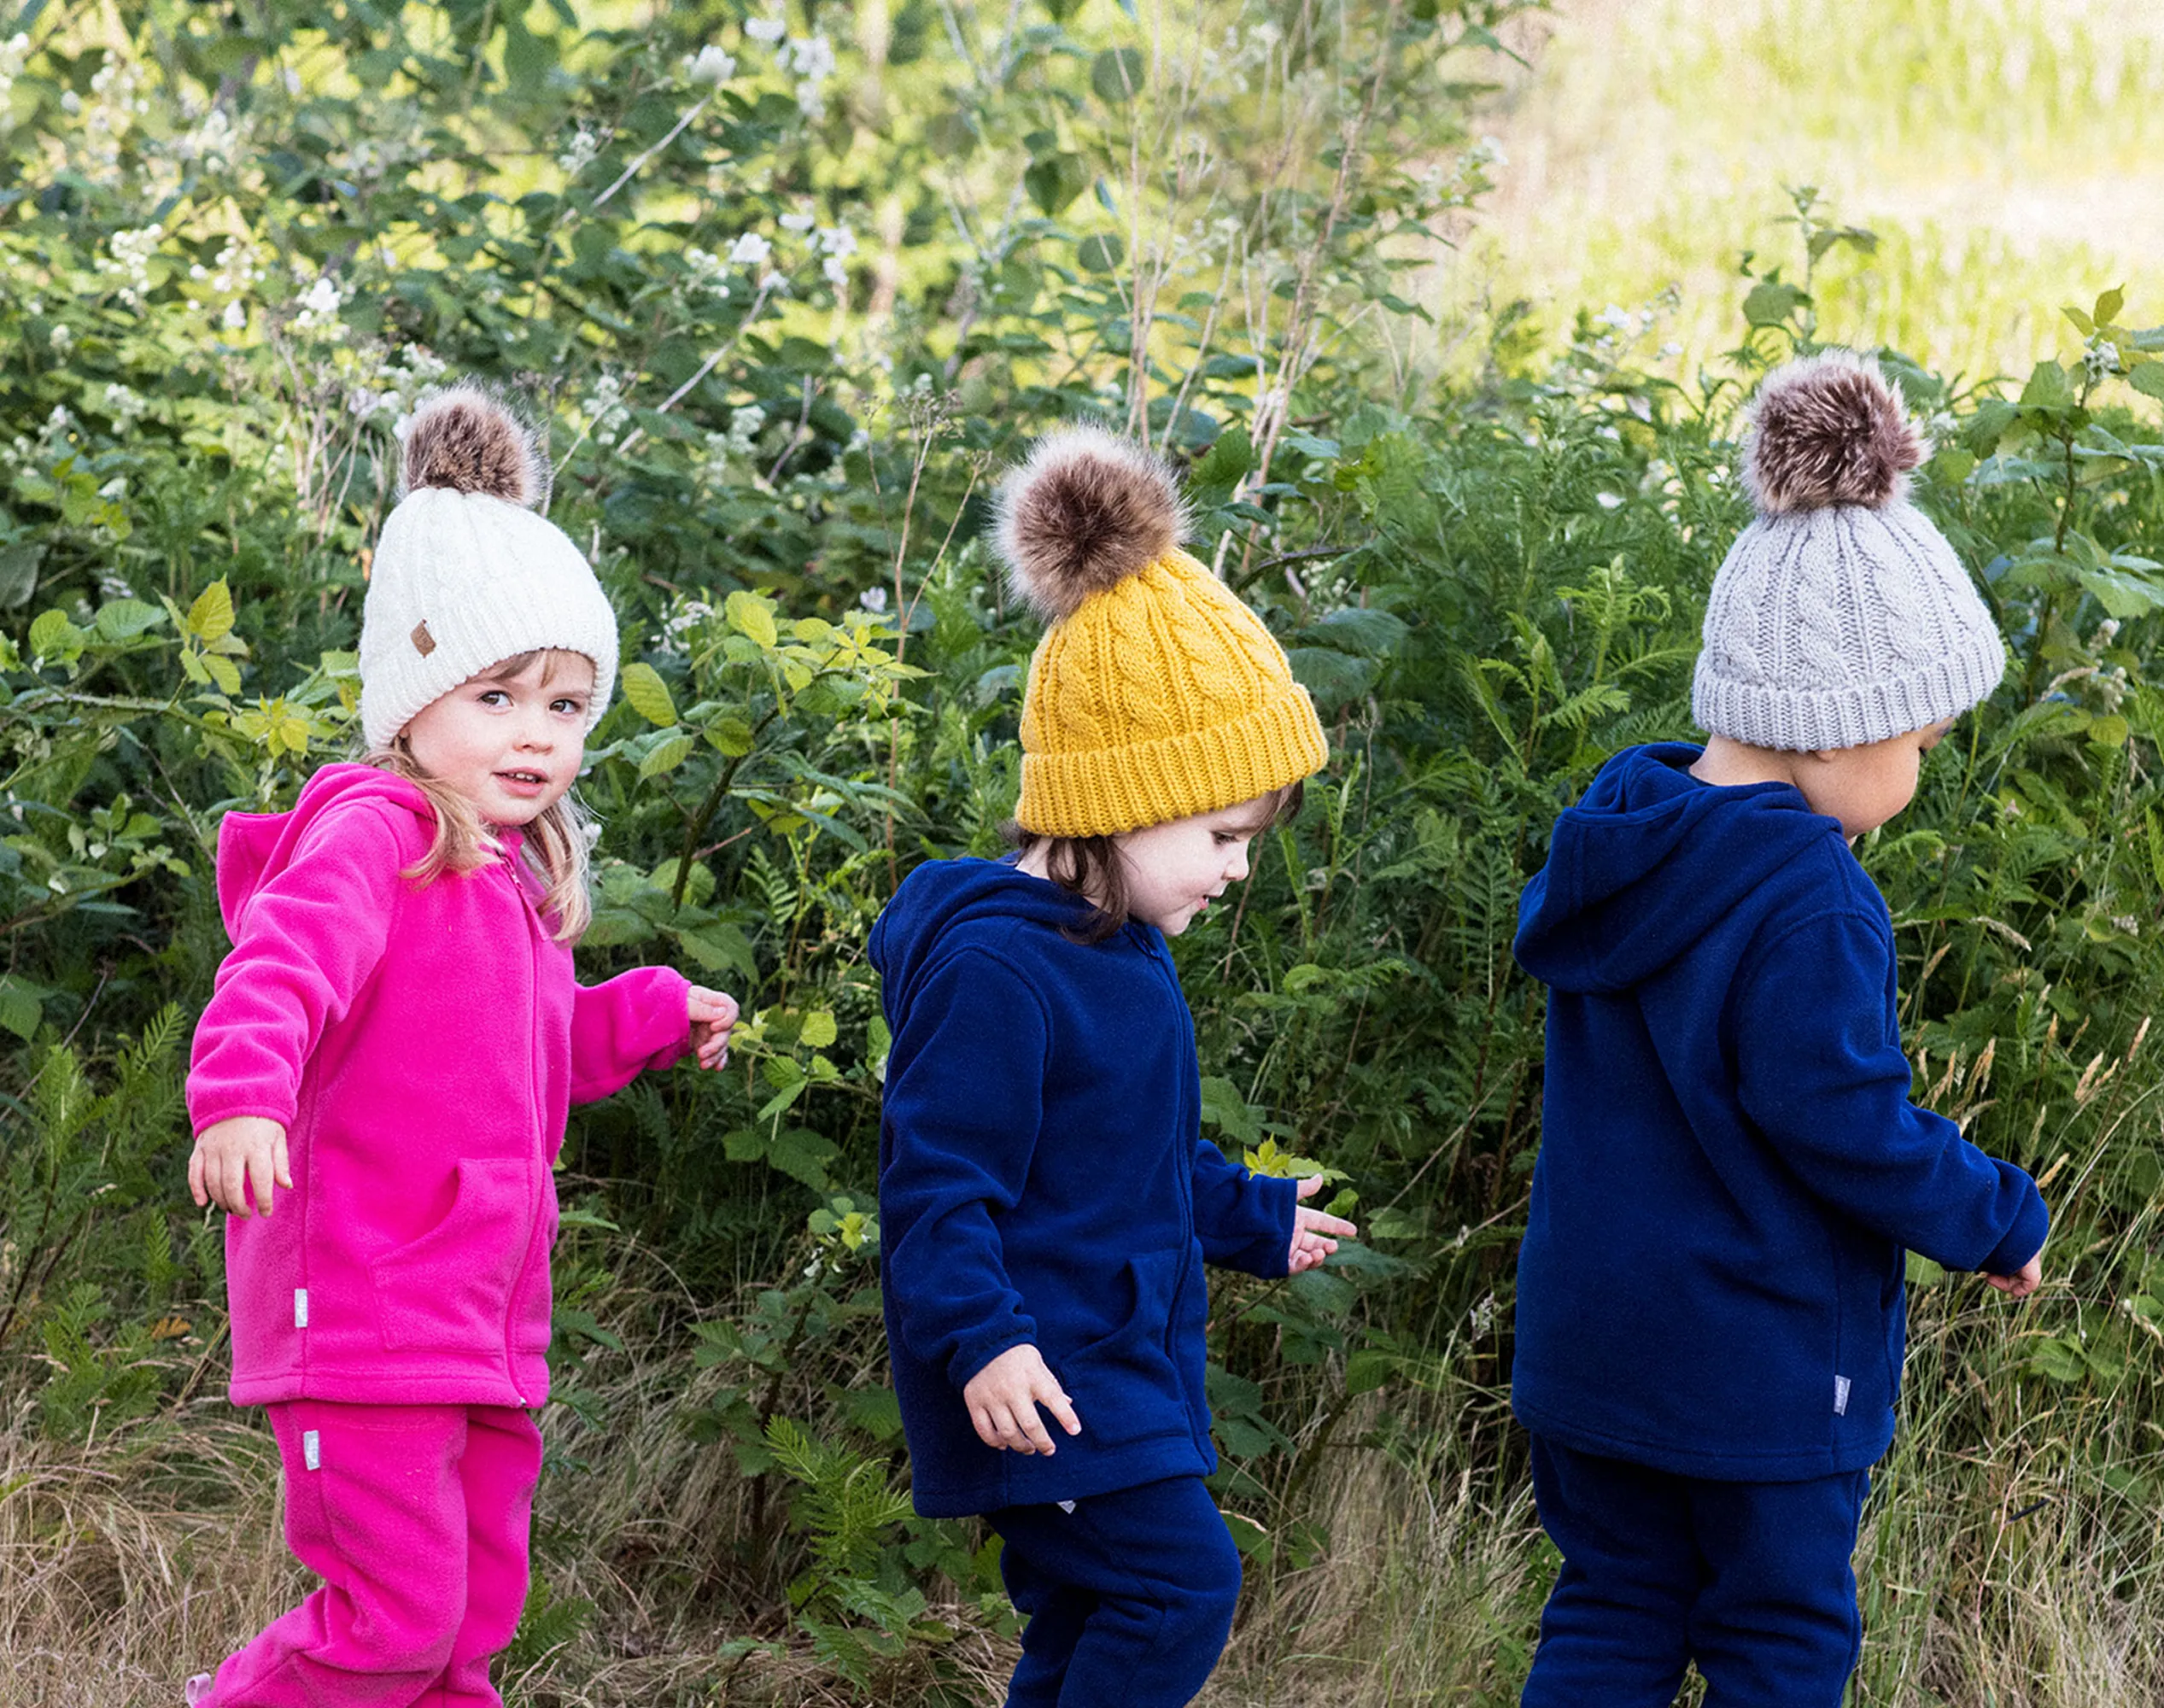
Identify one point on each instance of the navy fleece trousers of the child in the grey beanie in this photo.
(1752, 1581)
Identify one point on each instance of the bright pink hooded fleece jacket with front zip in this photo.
(421, 1044)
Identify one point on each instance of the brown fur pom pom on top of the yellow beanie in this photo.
(1083, 514)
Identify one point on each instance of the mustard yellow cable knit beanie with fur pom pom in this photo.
(1157, 694)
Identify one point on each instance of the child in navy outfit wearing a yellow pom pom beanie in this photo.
(1046, 1194)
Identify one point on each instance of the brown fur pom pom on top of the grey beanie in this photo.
(1830, 430)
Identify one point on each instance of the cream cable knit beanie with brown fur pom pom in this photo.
(469, 575)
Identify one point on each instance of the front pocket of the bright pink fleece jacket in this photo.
(451, 1289)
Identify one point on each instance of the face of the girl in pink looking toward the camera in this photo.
(510, 744)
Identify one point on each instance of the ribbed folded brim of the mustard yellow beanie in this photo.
(1111, 791)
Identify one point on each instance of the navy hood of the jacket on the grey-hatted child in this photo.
(1648, 863)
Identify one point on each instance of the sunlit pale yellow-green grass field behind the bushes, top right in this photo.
(2009, 153)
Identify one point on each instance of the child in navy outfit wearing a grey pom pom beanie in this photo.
(1711, 1287)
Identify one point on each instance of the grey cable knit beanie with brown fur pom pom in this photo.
(1840, 616)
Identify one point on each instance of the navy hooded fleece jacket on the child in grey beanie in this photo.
(1730, 1164)
